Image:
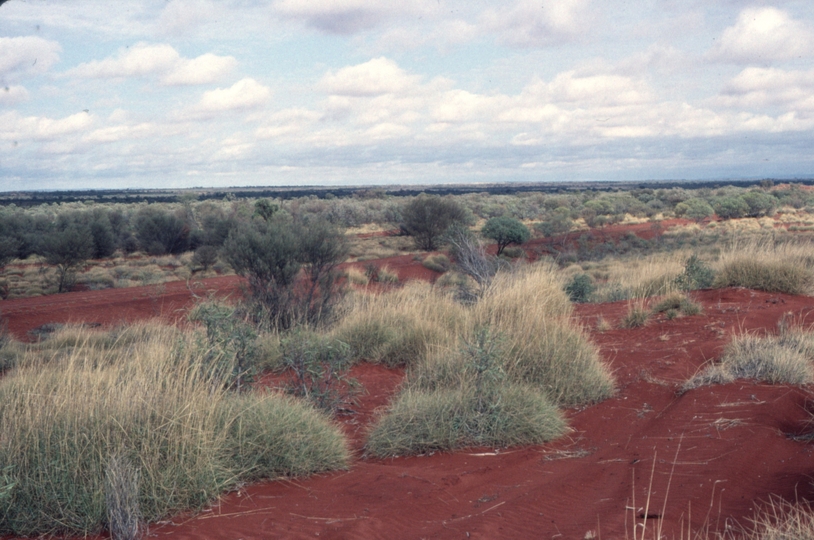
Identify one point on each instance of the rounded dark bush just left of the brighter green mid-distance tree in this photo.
(427, 217)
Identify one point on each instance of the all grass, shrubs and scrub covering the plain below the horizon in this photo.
(110, 430)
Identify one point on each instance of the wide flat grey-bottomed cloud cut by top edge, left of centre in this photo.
(346, 16)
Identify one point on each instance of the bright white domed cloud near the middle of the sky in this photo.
(378, 76)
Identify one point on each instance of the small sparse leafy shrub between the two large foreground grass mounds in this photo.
(320, 367)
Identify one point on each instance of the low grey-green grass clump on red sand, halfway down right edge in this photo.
(783, 359)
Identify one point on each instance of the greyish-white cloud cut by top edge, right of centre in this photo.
(537, 23)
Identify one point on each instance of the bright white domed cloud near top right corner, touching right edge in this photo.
(763, 34)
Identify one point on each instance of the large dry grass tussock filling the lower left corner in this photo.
(146, 396)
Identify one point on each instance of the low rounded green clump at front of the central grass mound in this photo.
(423, 421)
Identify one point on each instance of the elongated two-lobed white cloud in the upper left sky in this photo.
(162, 61)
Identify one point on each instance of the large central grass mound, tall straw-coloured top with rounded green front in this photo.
(498, 374)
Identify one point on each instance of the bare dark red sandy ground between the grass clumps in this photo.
(720, 450)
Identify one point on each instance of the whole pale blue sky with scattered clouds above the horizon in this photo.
(100, 94)
